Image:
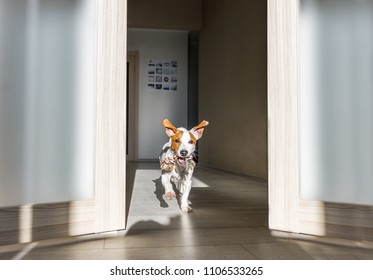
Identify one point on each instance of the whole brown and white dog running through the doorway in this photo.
(178, 160)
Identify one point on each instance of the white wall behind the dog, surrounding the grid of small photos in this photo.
(155, 105)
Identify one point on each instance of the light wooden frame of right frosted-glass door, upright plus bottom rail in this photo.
(287, 211)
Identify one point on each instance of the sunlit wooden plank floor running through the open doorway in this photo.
(229, 222)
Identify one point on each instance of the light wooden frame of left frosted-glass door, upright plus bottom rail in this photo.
(106, 211)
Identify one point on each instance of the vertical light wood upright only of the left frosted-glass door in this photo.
(111, 114)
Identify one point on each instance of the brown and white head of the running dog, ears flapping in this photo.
(183, 142)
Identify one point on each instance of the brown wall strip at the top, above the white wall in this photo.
(165, 14)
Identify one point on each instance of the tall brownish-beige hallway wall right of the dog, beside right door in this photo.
(233, 85)
